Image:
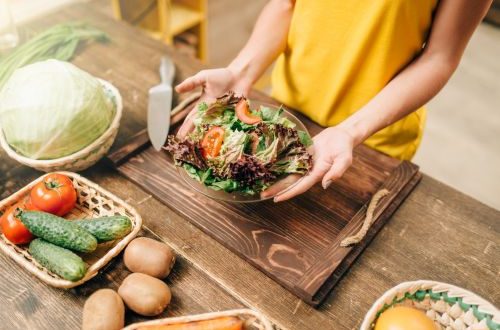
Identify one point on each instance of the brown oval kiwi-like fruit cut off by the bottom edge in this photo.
(103, 310)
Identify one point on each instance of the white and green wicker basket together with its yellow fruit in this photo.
(430, 305)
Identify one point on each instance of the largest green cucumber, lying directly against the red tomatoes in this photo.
(58, 231)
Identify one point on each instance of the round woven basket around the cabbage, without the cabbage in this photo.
(84, 158)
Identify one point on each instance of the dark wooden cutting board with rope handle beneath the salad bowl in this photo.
(296, 243)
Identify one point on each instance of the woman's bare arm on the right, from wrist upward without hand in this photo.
(421, 80)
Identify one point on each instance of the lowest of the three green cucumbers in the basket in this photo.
(58, 260)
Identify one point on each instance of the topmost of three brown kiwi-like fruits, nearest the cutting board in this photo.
(148, 256)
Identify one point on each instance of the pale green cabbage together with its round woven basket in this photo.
(55, 116)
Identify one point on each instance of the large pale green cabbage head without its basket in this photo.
(52, 109)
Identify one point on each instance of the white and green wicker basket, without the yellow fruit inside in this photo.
(449, 306)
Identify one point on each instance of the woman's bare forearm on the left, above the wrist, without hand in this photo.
(267, 41)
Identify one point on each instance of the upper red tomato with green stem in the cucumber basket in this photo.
(54, 194)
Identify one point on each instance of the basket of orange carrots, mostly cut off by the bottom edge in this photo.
(238, 319)
